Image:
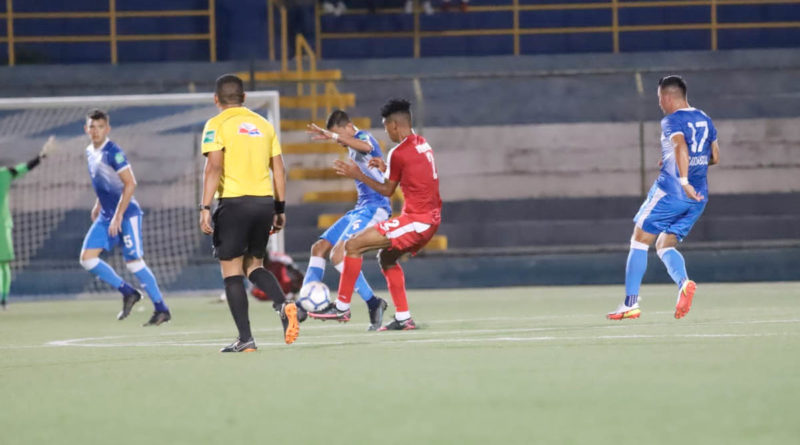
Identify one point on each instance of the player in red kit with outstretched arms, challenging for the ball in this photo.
(410, 164)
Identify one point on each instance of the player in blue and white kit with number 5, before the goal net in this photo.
(117, 221)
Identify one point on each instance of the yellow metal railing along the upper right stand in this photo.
(713, 25)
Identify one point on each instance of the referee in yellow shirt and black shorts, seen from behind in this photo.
(240, 148)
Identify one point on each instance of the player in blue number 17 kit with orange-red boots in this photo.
(676, 200)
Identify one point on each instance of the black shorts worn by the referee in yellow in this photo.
(241, 226)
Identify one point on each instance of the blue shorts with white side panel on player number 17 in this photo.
(661, 212)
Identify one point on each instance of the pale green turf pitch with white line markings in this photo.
(489, 366)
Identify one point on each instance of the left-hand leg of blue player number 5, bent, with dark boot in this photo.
(97, 240)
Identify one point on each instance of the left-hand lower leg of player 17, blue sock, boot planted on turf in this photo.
(635, 268)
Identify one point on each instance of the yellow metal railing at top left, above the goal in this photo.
(113, 37)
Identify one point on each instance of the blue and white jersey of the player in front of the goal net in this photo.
(105, 164)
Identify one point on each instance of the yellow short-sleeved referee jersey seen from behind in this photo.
(248, 142)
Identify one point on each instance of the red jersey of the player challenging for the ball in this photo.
(411, 164)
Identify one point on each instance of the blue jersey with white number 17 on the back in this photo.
(699, 132)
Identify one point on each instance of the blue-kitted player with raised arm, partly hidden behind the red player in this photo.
(371, 208)
